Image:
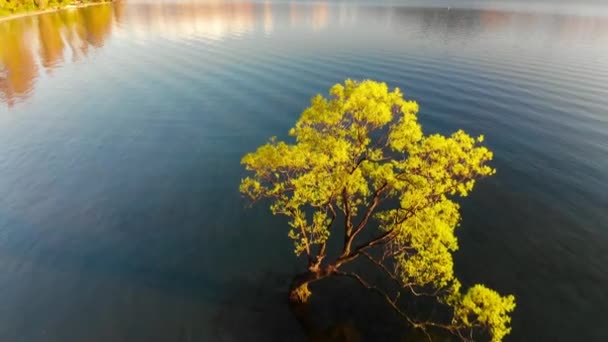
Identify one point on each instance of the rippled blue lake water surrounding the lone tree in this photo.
(122, 127)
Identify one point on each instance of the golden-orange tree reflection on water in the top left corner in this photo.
(43, 40)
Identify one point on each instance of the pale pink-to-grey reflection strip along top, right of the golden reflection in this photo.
(220, 19)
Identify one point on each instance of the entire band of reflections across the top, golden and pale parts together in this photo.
(51, 39)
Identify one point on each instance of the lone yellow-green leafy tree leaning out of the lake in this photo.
(361, 171)
